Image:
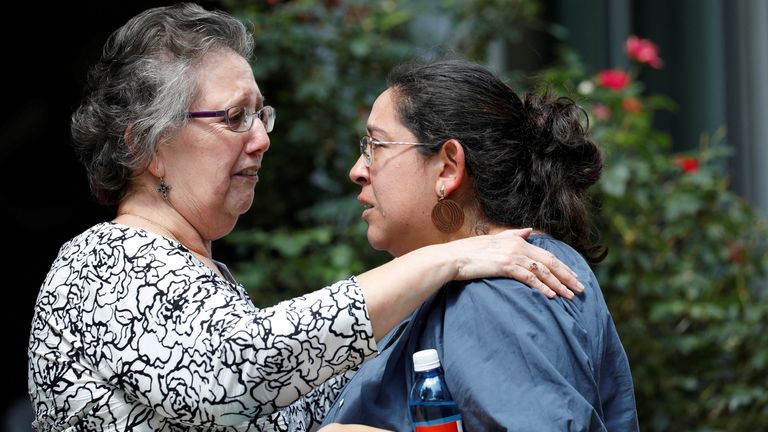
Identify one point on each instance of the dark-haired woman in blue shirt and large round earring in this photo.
(452, 152)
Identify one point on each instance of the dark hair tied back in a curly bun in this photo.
(531, 160)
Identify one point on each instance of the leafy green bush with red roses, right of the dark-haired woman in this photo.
(686, 260)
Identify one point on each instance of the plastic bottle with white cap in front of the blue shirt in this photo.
(432, 406)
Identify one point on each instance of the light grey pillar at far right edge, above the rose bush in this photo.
(747, 72)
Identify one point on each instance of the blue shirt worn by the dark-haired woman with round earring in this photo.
(513, 359)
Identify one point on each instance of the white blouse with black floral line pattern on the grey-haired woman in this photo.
(132, 332)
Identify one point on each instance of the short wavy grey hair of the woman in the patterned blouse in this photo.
(141, 89)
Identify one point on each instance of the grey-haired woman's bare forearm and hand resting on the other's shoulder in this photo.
(395, 289)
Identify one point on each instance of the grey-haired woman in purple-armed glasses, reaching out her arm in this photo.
(136, 326)
